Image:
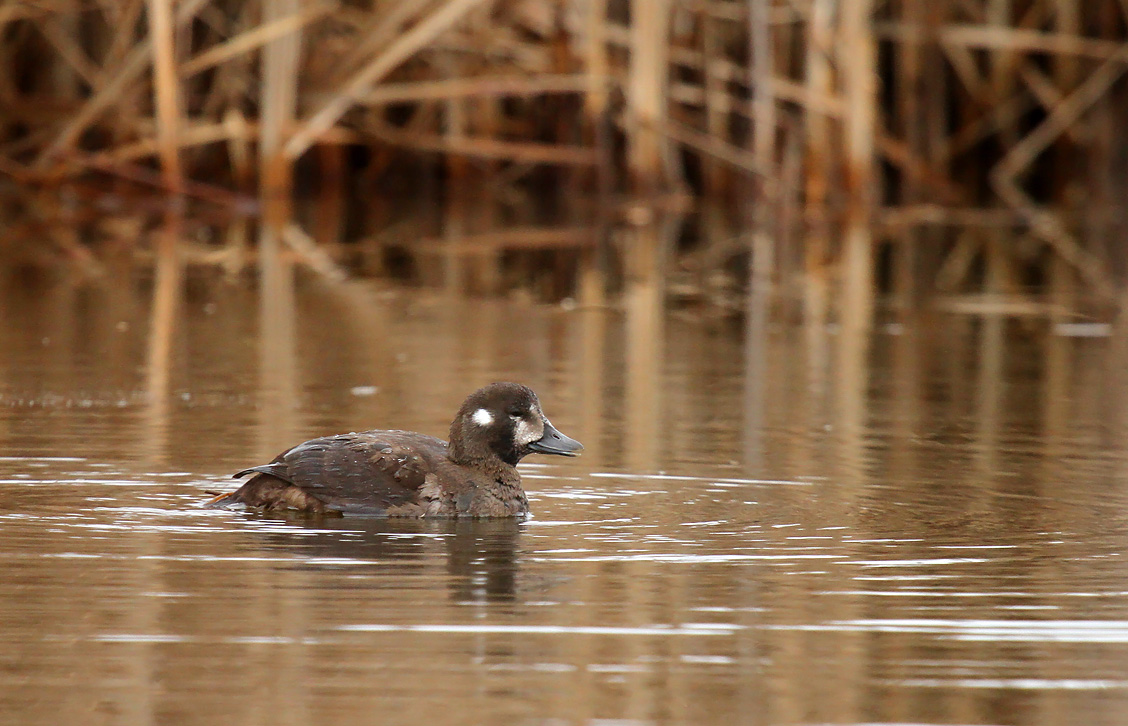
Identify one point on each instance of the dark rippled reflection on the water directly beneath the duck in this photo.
(481, 555)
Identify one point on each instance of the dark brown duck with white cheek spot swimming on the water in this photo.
(404, 474)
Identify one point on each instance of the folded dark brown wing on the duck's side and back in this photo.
(369, 473)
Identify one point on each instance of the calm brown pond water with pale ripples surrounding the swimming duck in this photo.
(786, 533)
